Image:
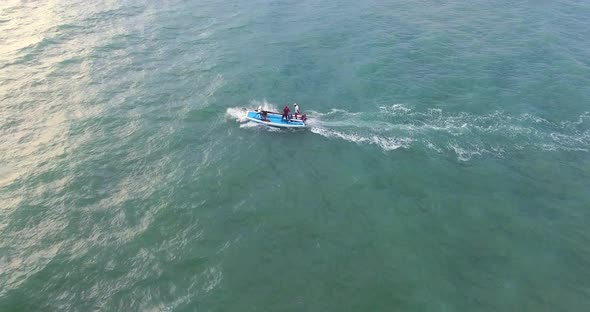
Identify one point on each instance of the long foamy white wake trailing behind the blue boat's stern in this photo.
(463, 134)
